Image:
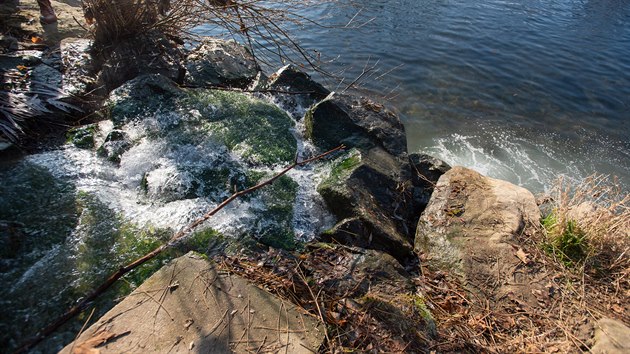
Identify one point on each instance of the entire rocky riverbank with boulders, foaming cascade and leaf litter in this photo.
(374, 249)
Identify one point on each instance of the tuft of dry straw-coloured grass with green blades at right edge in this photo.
(587, 228)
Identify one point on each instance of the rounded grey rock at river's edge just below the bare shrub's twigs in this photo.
(217, 62)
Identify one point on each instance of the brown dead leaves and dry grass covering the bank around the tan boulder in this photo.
(569, 298)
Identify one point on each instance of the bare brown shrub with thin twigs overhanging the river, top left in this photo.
(264, 26)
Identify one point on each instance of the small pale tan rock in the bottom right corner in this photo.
(611, 337)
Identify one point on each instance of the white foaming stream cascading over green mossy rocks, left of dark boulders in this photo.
(70, 216)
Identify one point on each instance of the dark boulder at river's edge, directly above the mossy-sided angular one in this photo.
(355, 122)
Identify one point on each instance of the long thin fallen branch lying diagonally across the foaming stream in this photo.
(180, 235)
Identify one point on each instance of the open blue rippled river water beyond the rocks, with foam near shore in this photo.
(519, 90)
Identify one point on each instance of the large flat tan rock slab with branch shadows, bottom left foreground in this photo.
(190, 306)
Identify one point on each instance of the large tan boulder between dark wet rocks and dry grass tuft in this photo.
(472, 228)
